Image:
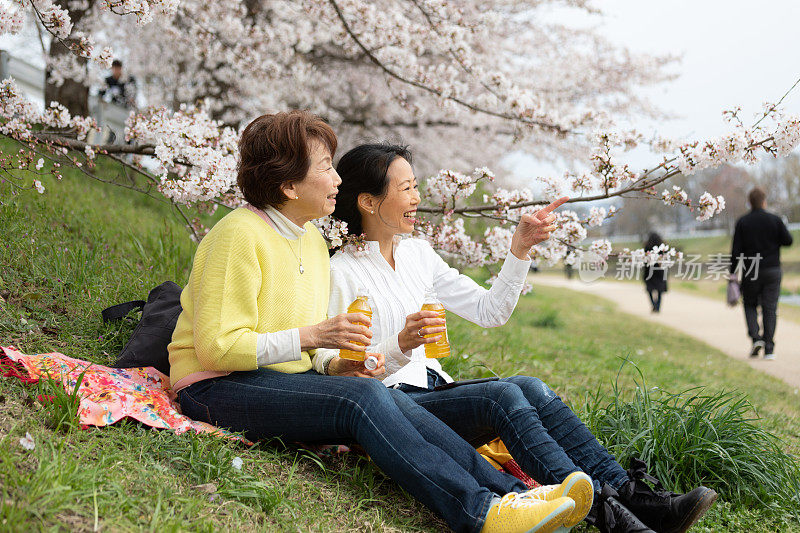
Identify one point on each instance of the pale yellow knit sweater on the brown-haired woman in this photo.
(245, 281)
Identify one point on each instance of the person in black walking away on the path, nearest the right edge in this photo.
(755, 254)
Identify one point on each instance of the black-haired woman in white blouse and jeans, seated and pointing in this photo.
(378, 197)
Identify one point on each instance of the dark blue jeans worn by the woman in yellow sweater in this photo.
(419, 452)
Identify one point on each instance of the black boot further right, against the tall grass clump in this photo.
(665, 512)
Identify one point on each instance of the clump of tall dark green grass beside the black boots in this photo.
(695, 437)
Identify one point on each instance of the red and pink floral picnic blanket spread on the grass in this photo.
(108, 394)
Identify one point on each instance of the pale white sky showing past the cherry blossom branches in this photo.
(734, 53)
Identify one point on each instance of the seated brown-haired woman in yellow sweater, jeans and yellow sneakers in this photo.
(254, 312)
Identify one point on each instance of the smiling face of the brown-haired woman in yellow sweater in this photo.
(315, 195)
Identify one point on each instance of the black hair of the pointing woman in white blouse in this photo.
(364, 169)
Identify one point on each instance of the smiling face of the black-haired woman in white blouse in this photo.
(396, 212)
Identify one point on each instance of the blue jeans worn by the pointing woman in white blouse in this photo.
(543, 435)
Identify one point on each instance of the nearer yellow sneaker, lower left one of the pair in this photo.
(513, 514)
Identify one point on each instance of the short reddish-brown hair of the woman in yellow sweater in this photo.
(273, 150)
